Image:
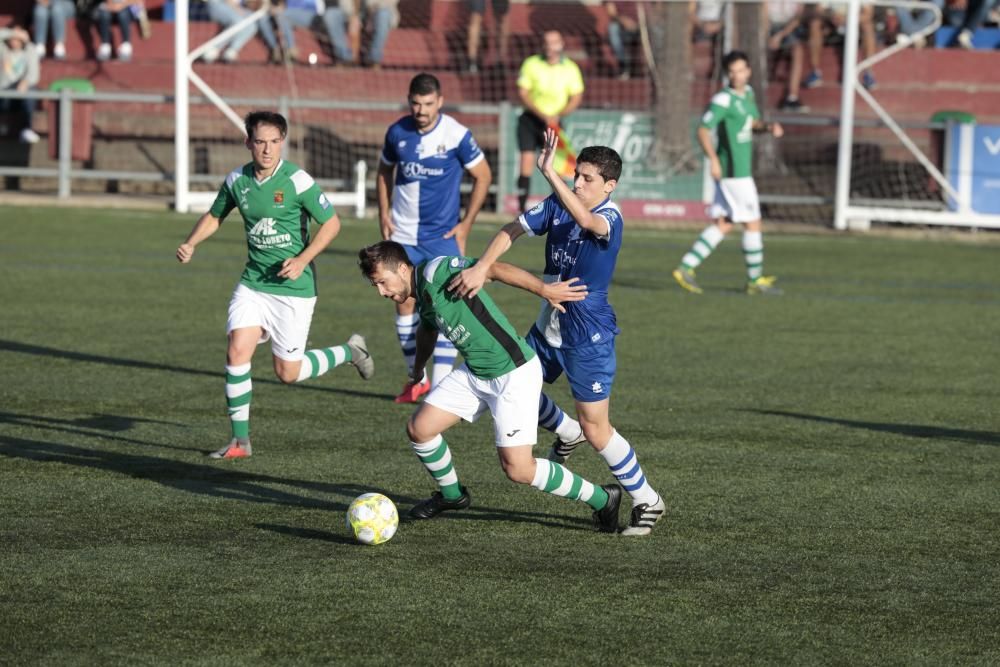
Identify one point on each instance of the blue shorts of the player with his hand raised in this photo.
(590, 369)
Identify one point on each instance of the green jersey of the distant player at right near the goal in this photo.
(732, 116)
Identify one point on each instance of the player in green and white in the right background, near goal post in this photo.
(734, 117)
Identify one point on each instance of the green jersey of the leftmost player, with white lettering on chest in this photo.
(276, 214)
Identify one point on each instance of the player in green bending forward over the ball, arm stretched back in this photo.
(501, 373)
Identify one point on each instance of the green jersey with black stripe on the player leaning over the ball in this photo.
(484, 336)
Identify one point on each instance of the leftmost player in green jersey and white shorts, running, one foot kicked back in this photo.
(276, 294)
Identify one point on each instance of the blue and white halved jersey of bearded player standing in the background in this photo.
(425, 198)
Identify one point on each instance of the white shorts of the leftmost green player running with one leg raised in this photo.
(284, 319)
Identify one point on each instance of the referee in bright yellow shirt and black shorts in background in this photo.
(550, 86)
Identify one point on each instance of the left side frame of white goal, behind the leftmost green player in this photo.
(186, 200)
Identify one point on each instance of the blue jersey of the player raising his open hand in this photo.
(573, 252)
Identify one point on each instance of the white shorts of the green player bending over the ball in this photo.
(512, 399)
